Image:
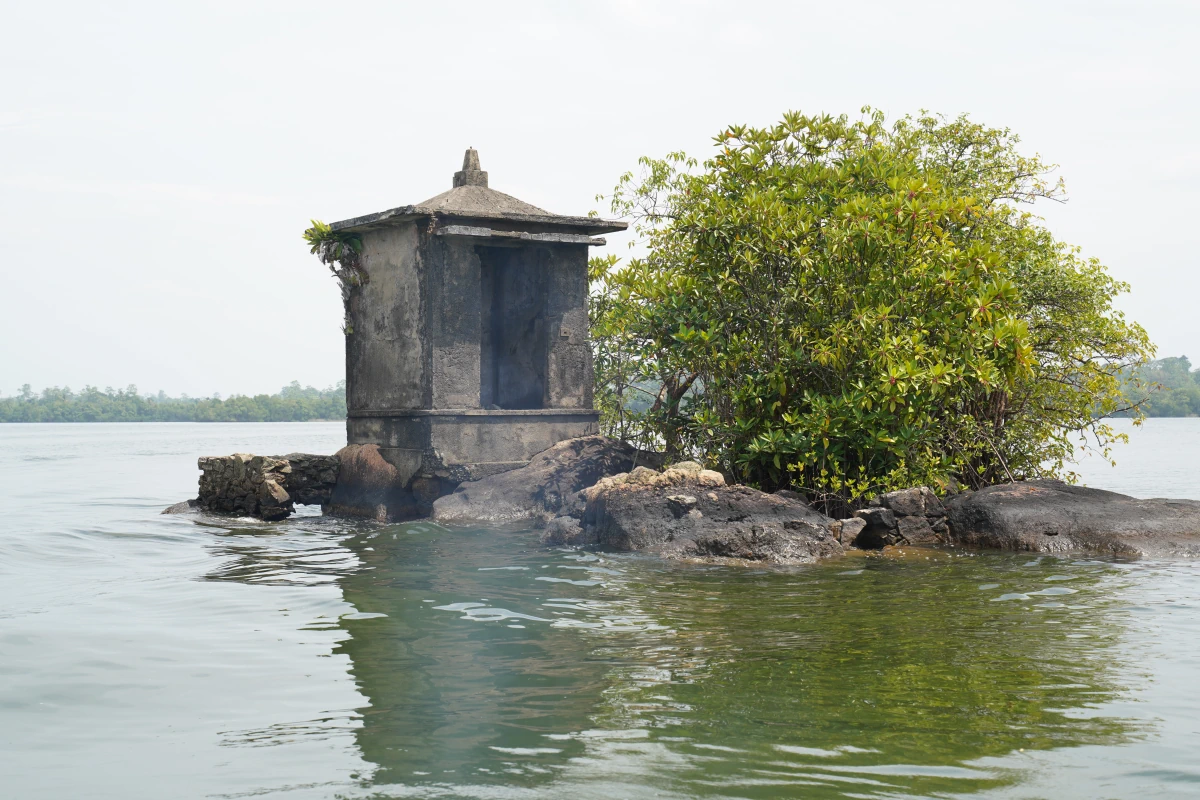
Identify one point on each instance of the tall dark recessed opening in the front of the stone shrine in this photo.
(513, 352)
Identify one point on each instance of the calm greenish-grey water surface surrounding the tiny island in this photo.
(151, 657)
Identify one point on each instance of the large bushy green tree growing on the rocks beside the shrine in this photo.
(851, 308)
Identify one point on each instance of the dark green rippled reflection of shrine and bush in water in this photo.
(496, 669)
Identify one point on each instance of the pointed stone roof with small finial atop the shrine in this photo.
(471, 199)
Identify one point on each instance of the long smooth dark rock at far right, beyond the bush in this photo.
(1055, 518)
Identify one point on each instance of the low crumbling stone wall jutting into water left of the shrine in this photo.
(267, 488)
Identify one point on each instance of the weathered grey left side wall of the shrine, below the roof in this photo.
(385, 359)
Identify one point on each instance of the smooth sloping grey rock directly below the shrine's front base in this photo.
(550, 486)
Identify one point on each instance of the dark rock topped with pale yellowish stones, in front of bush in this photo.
(689, 513)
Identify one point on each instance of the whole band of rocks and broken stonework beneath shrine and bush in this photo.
(591, 492)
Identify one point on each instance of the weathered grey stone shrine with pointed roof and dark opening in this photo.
(467, 350)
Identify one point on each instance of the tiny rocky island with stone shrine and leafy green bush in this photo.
(845, 336)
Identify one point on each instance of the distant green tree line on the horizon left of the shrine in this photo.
(293, 404)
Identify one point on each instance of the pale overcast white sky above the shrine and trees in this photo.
(159, 161)
